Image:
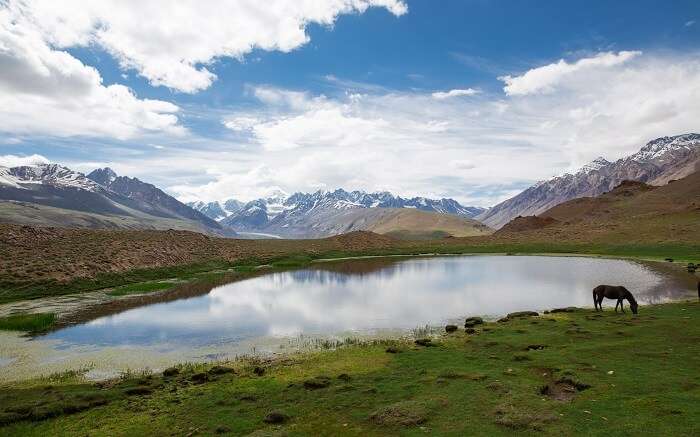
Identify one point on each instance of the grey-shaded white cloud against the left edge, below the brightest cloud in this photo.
(48, 91)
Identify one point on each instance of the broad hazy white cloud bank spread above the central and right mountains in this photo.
(478, 151)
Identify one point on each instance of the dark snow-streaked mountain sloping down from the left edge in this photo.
(51, 194)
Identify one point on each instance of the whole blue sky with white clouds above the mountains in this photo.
(469, 99)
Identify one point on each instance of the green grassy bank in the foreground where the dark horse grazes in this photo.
(596, 374)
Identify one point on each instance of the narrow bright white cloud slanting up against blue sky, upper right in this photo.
(545, 79)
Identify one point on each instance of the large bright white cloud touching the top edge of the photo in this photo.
(176, 44)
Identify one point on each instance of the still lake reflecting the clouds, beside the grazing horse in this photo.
(374, 297)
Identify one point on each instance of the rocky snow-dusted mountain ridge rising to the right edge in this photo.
(656, 163)
